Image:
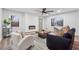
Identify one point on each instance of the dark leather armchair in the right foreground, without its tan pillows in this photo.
(64, 42)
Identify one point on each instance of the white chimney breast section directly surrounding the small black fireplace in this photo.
(31, 19)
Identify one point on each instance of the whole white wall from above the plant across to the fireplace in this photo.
(25, 19)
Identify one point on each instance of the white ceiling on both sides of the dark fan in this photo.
(37, 11)
